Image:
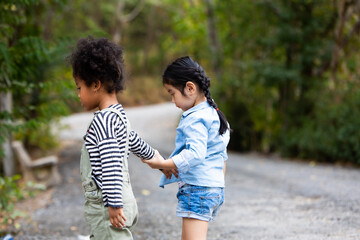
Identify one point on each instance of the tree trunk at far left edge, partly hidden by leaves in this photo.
(8, 160)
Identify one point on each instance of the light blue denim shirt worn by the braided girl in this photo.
(200, 151)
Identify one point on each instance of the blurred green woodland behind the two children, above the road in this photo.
(284, 72)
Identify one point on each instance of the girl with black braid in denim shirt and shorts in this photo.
(200, 148)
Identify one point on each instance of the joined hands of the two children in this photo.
(166, 166)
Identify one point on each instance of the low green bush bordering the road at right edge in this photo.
(332, 134)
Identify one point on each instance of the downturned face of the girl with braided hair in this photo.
(184, 102)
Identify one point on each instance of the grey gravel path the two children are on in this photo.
(266, 197)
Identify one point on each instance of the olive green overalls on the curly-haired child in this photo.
(96, 215)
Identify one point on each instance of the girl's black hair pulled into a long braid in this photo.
(184, 70)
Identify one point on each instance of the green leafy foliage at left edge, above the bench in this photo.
(28, 70)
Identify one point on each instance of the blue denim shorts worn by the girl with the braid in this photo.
(199, 202)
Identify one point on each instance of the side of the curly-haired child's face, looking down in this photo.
(86, 94)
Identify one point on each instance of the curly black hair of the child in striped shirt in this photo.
(98, 60)
